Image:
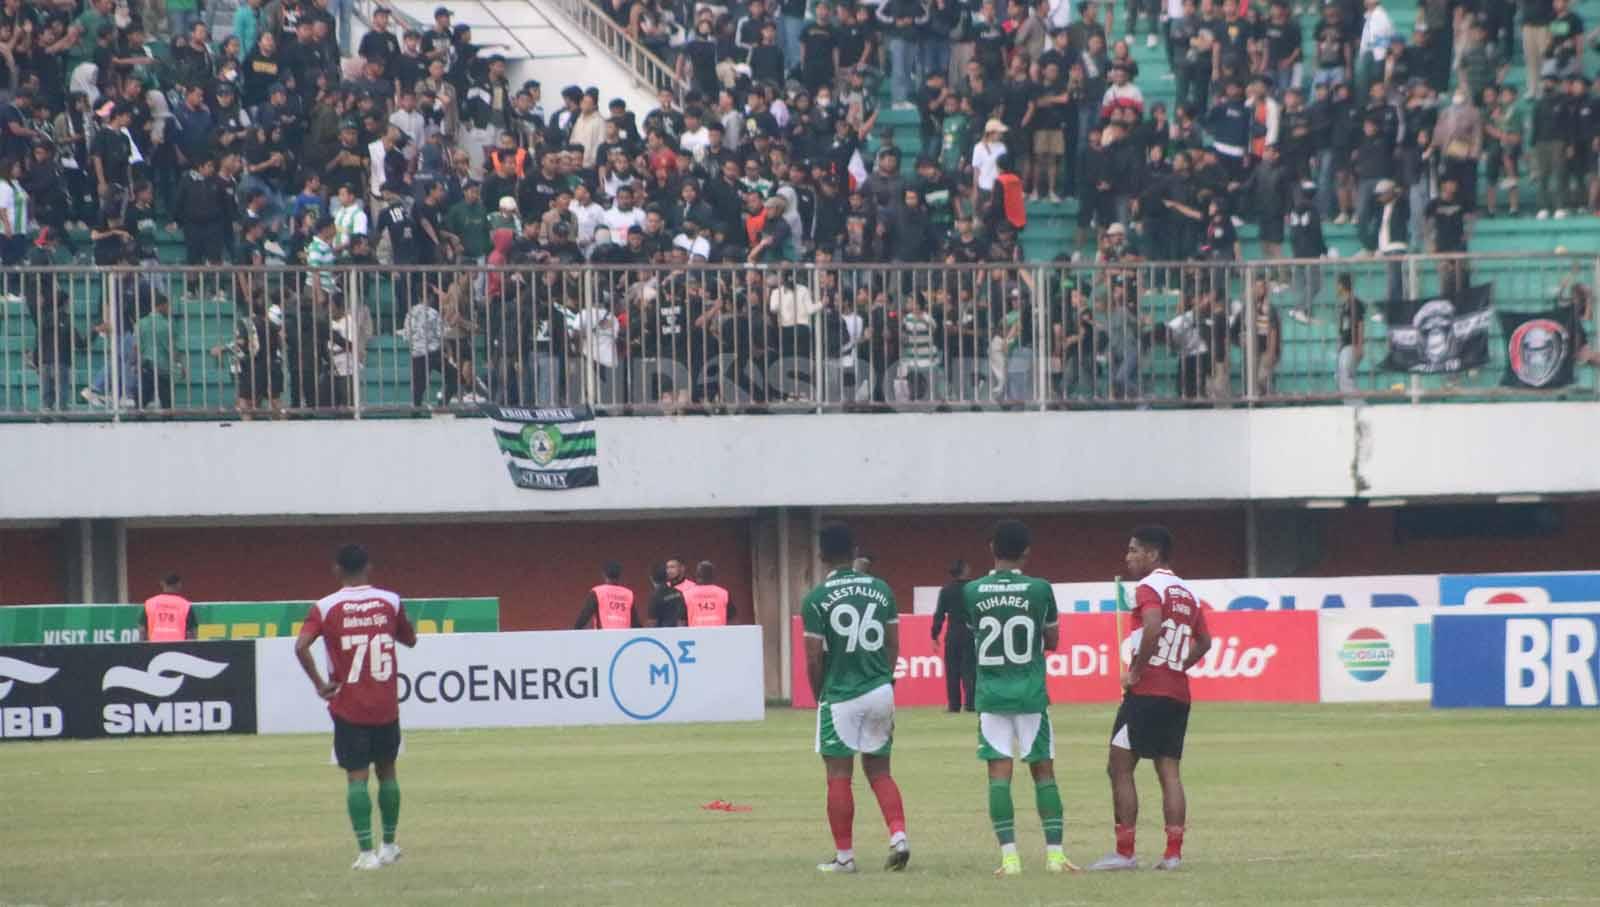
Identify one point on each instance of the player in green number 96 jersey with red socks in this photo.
(852, 644)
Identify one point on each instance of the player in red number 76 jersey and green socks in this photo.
(361, 626)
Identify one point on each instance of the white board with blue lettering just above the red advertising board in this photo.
(1281, 594)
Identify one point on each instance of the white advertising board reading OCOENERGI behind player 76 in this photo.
(537, 679)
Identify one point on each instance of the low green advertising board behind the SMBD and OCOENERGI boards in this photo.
(81, 625)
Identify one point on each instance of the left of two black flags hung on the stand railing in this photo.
(1441, 335)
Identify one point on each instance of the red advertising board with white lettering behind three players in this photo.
(1255, 658)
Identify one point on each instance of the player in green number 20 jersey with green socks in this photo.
(1014, 621)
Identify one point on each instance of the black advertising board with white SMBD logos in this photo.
(127, 690)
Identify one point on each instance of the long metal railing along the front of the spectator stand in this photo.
(359, 342)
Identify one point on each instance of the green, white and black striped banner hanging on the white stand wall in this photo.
(548, 449)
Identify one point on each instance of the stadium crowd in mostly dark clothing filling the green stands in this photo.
(271, 148)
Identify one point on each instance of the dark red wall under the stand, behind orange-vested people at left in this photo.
(540, 572)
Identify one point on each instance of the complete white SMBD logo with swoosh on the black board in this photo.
(164, 677)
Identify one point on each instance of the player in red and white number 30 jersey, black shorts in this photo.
(1169, 637)
